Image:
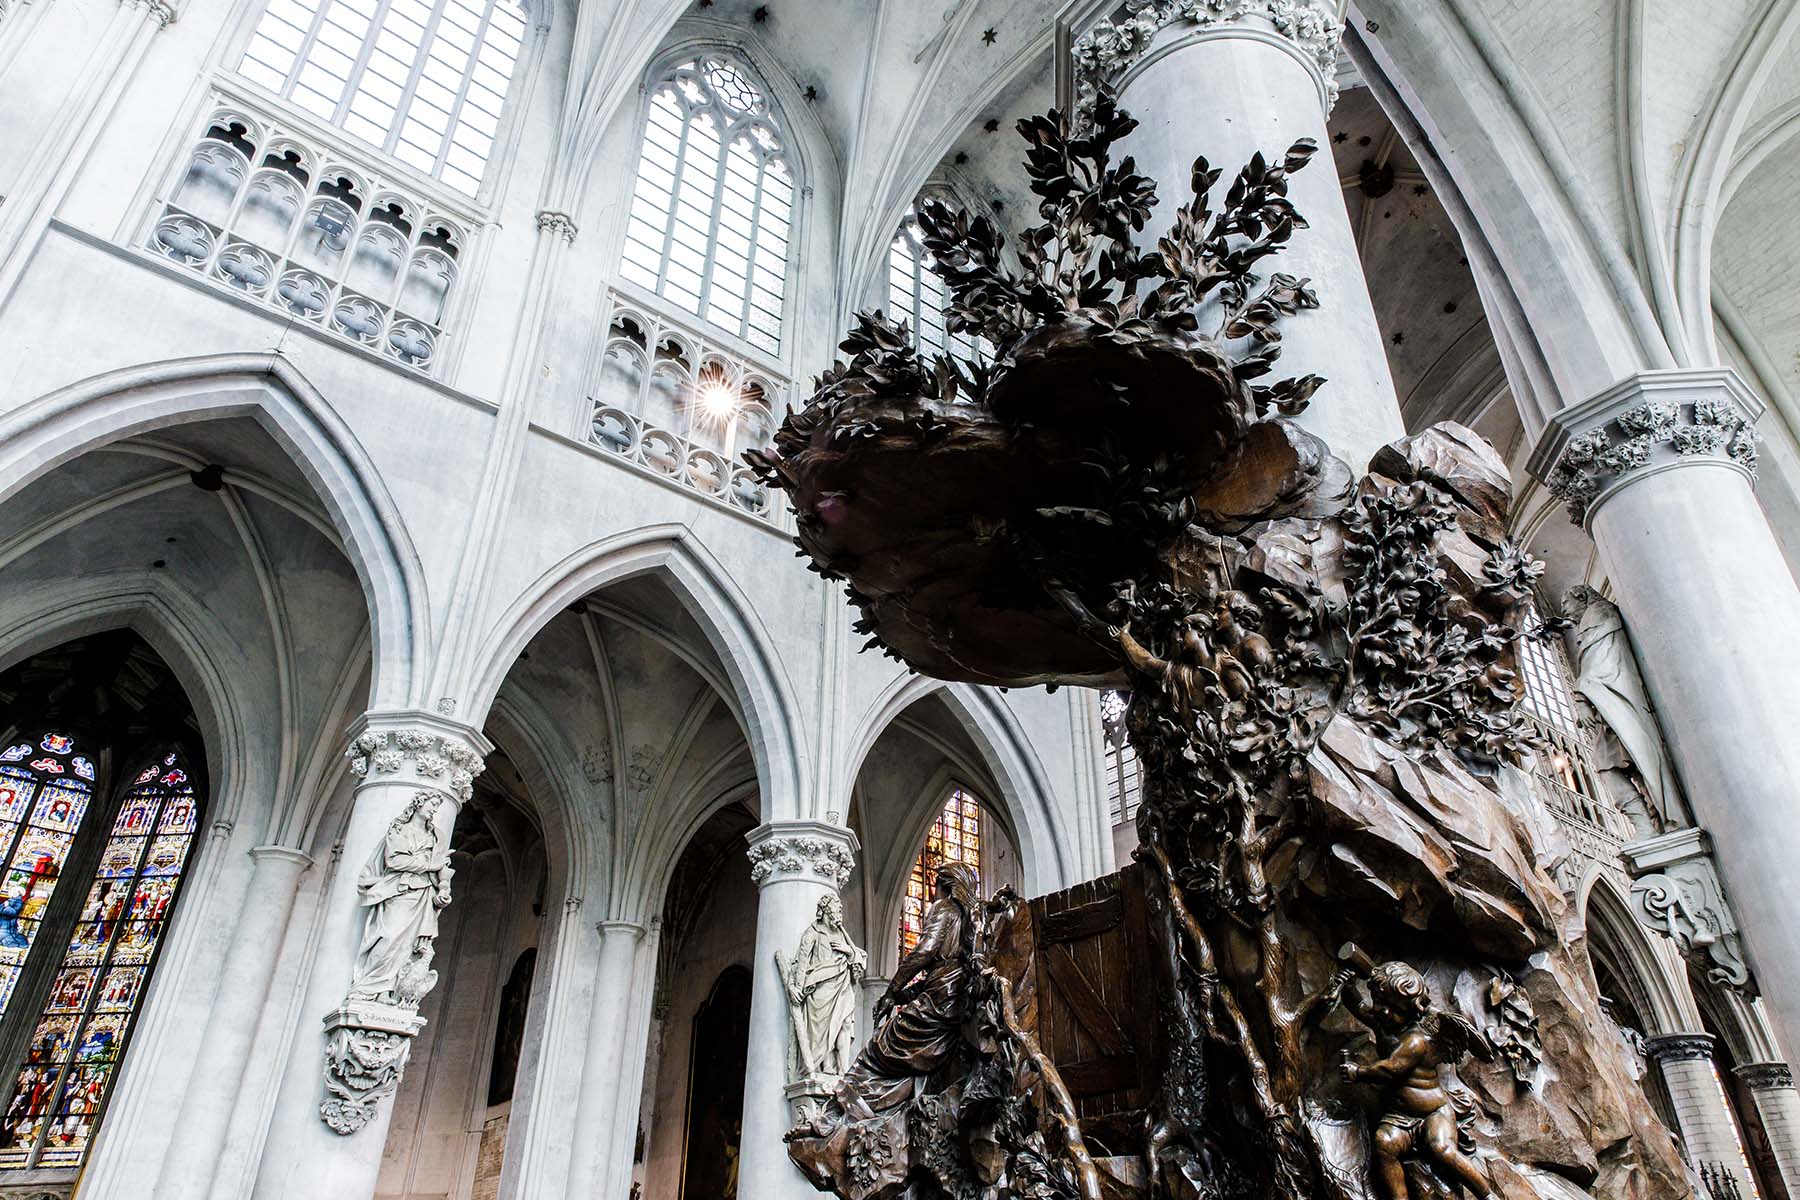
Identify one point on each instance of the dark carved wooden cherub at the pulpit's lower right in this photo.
(1416, 1043)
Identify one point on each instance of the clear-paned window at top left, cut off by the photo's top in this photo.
(422, 80)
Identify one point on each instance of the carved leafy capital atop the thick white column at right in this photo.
(1651, 434)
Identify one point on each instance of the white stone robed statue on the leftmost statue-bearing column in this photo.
(404, 888)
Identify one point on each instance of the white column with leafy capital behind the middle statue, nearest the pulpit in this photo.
(793, 863)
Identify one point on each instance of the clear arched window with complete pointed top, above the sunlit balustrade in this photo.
(714, 204)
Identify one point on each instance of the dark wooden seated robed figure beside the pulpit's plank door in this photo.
(919, 1021)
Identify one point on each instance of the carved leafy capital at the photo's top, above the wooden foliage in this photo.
(1102, 40)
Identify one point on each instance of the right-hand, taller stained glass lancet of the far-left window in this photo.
(87, 1017)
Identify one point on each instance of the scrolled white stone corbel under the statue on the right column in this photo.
(1677, 893)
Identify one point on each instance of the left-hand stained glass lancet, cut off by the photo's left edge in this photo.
(46, 789)
